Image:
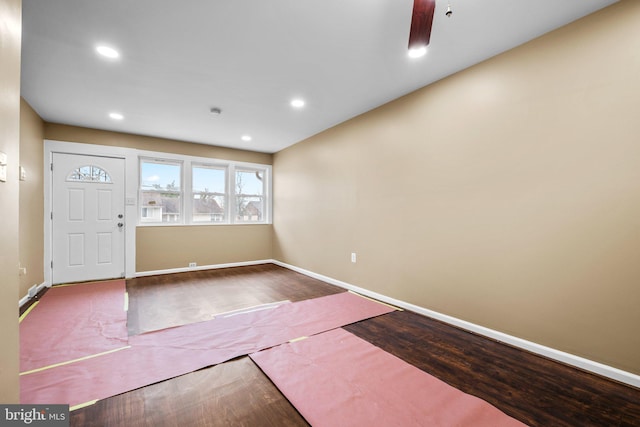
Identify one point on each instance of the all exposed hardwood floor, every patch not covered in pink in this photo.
(535, 390)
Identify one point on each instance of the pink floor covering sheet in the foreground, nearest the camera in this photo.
(337, 379)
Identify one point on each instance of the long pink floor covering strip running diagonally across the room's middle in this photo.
(160, 355)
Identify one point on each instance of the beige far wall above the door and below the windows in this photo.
(162, 247)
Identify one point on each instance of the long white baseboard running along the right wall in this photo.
(551, 353)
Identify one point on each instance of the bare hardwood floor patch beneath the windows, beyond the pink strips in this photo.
(158, 302)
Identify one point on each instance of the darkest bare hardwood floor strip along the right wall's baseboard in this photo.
(530, 388)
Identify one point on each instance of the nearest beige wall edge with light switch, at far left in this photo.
(10, 42)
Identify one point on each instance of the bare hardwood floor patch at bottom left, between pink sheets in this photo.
(234, 393)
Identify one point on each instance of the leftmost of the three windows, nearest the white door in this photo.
(161, 192)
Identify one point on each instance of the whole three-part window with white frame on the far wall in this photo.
(184, 190)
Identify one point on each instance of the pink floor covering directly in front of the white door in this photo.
(74, 321)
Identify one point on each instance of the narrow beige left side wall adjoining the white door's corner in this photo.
(31, 231)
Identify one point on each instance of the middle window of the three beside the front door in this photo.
(209, 197)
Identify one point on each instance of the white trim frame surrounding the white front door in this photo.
(130, 159)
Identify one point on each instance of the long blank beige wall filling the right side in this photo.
(507, 195)
